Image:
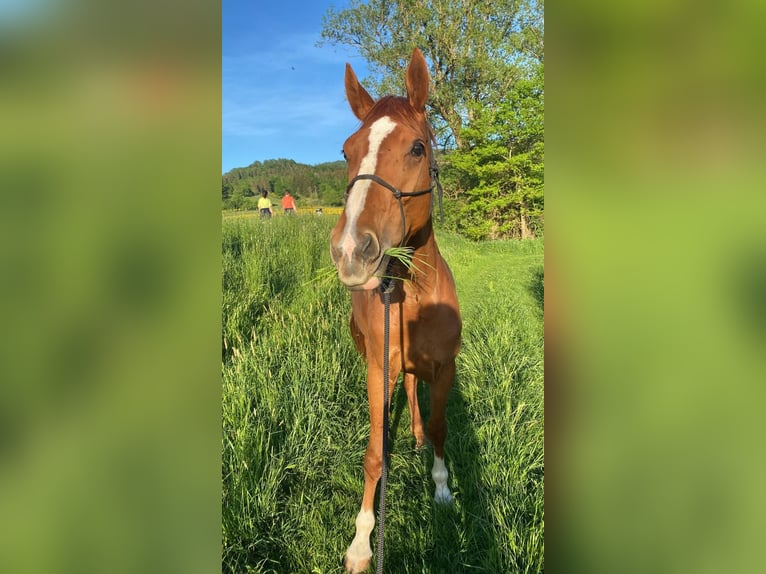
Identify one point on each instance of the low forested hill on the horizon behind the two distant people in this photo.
(321, 184)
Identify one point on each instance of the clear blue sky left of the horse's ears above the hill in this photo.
(282, 96)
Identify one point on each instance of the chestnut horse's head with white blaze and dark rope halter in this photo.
(387, 199)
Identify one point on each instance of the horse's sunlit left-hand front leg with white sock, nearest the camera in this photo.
(359, 552)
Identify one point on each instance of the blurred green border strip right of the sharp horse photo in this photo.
(656, 264)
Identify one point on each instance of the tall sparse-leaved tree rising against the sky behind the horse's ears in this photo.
(477, 49)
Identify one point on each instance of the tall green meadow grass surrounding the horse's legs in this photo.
(295, 420)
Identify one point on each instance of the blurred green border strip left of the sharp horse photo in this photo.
(110, 277)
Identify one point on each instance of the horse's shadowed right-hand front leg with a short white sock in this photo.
(437, 429)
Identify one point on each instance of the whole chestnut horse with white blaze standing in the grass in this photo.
(389, 205)
